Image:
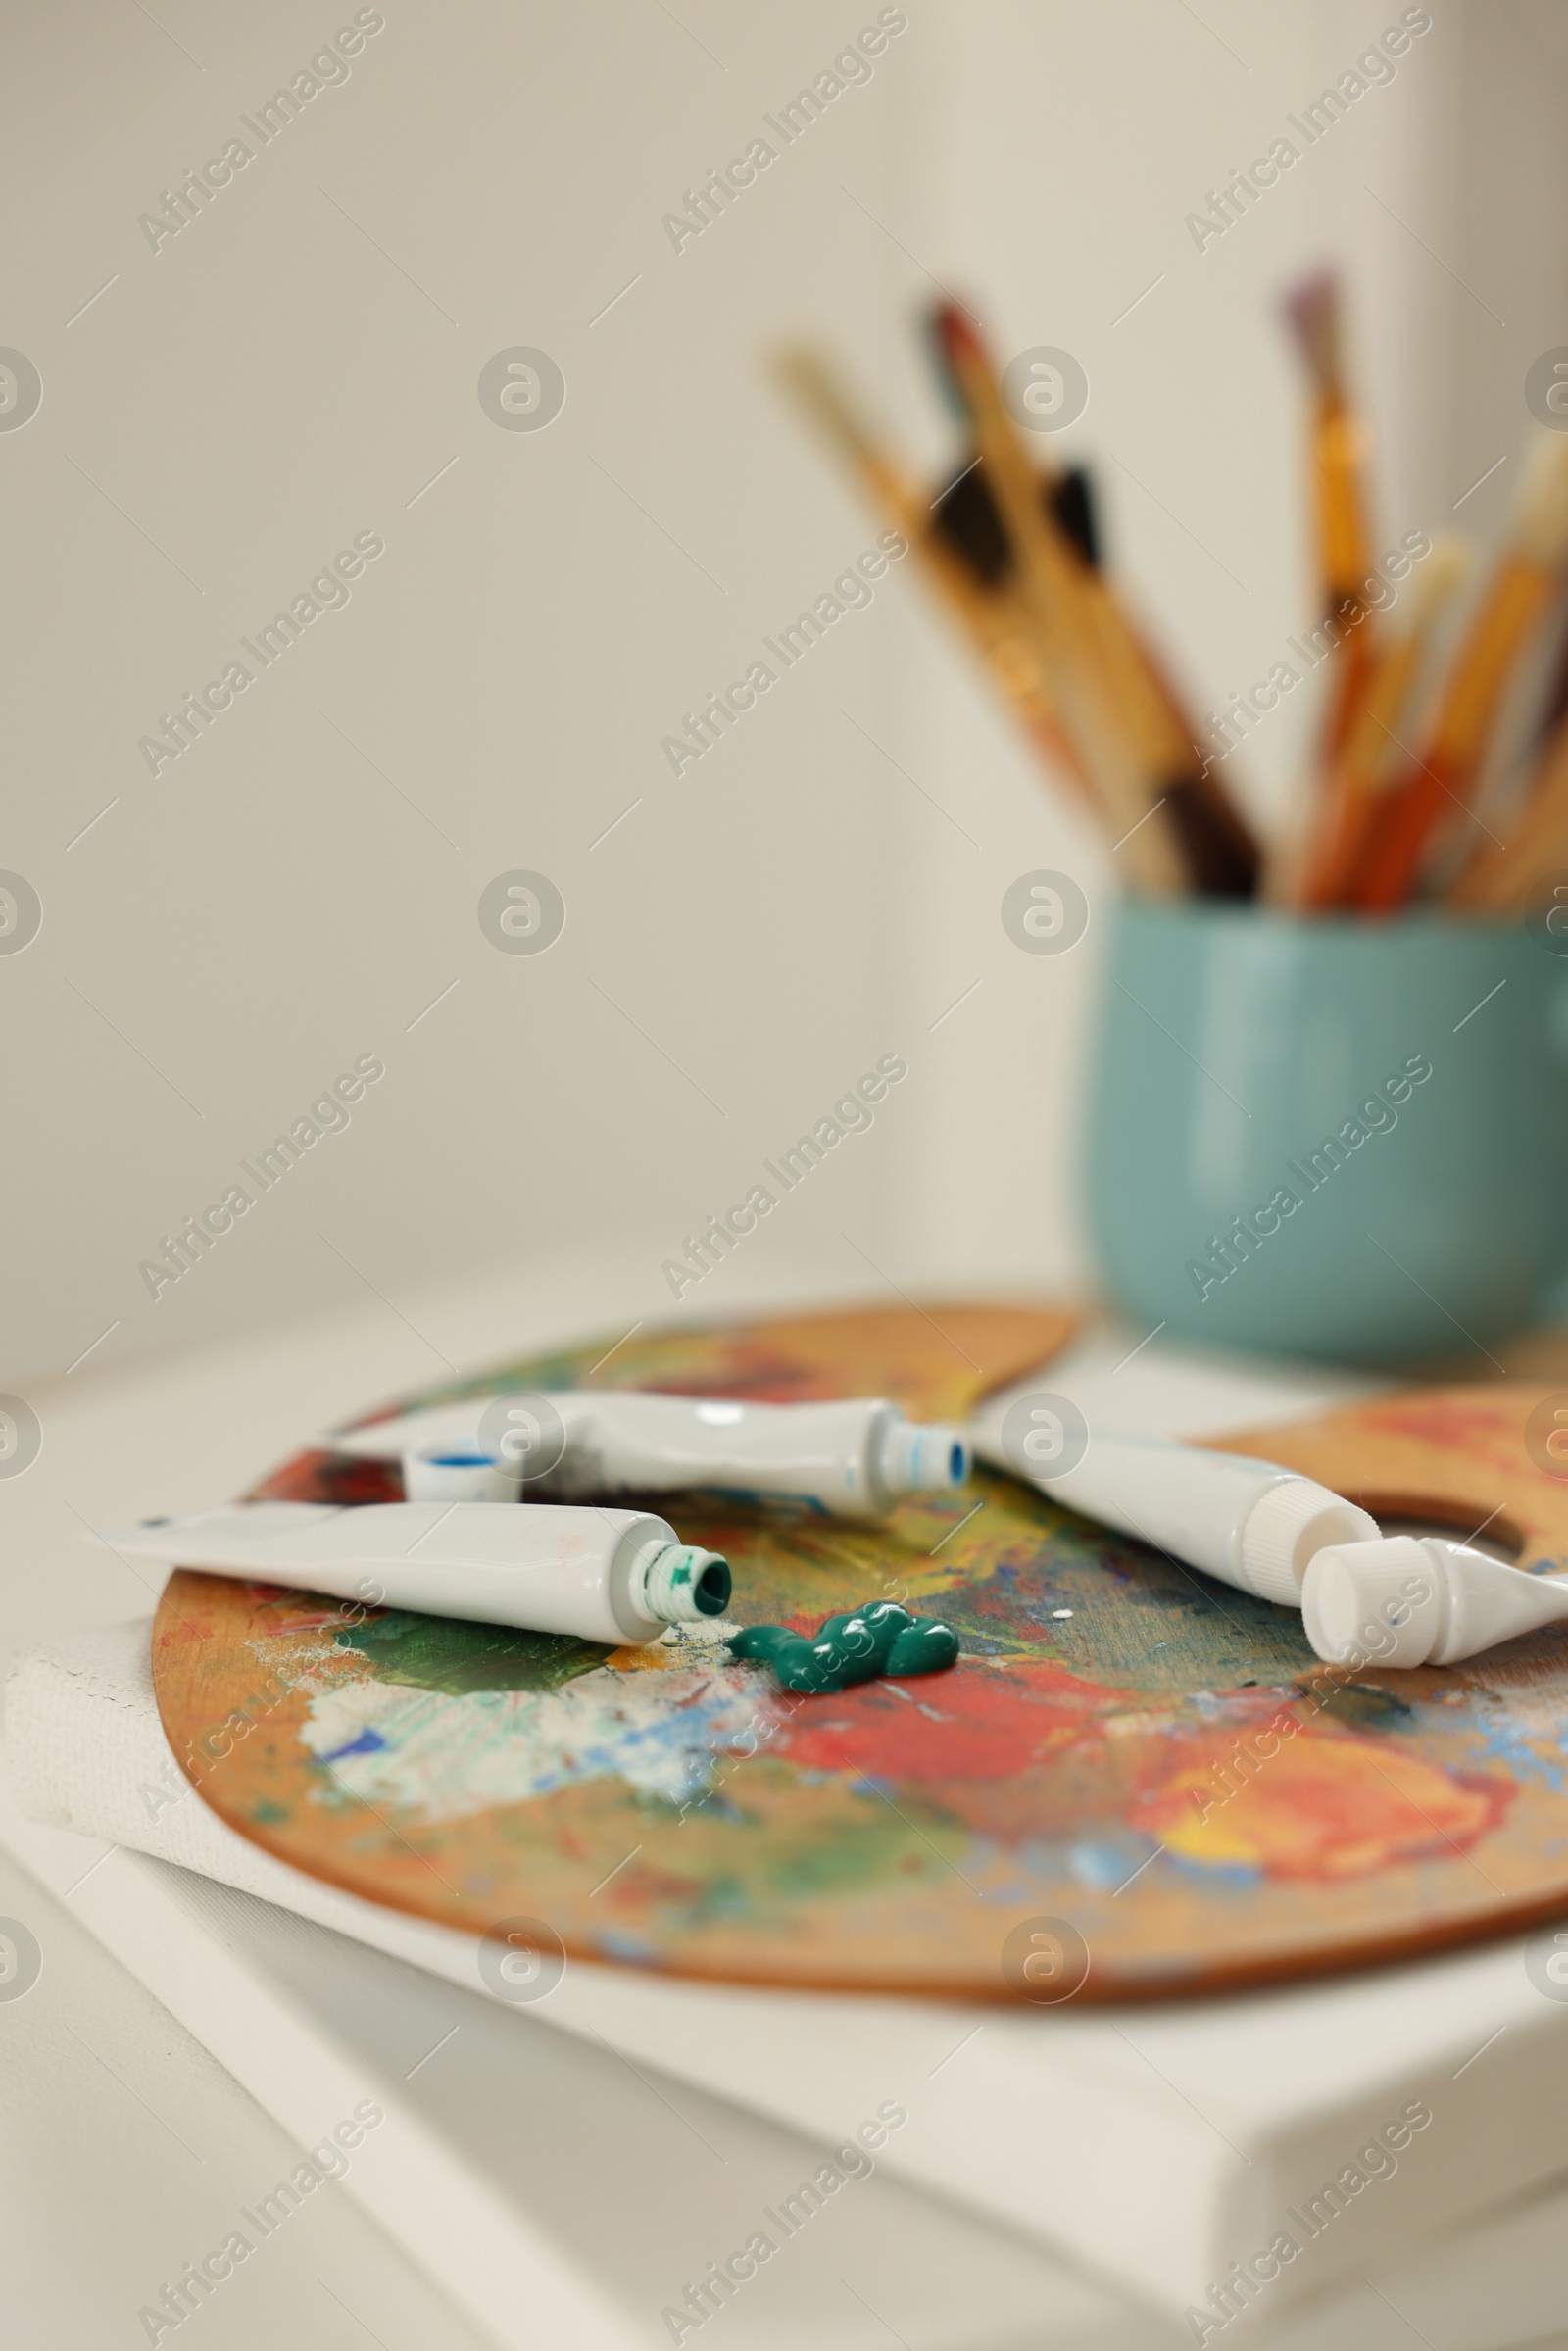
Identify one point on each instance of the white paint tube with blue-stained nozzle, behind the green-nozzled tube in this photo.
(850, 1461)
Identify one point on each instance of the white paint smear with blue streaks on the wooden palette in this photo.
(441, 1757)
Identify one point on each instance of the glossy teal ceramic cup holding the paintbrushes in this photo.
(1332, 1139)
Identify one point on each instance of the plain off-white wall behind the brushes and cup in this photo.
(297, 368)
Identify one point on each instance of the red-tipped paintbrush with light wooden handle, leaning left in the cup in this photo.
(1106, 688)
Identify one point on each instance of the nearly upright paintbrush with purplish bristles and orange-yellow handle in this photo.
(1343, 551)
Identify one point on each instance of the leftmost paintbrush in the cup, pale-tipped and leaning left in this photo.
(991, 617)
